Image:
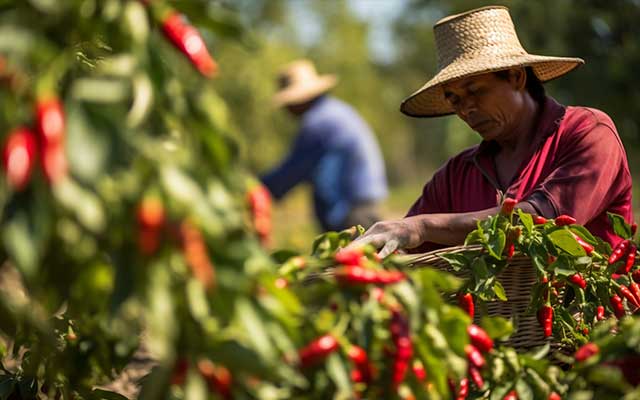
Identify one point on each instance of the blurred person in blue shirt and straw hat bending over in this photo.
(334, 150)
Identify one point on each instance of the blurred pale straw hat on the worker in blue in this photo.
(299, 82)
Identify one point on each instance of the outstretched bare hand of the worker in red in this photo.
(404, 233)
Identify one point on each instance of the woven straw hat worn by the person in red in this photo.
(473, 43)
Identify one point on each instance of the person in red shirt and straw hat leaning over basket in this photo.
(551, 158)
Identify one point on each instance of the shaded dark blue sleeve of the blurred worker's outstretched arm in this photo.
(299, 164)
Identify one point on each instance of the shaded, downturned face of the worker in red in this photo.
(491, 105)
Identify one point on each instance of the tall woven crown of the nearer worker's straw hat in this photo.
(485, 32)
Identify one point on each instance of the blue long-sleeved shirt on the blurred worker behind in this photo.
(337, 153)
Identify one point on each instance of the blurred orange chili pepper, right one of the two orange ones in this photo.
(196, 255)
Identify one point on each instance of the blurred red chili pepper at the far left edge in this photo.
(19, 157)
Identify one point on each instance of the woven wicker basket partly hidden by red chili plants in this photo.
(517, 279)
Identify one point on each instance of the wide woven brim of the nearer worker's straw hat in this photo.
(429, 100)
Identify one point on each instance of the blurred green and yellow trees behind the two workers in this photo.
(384, 50)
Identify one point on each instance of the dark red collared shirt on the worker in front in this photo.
(577, 166)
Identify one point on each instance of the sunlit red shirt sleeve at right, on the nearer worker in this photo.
(589, 174)
